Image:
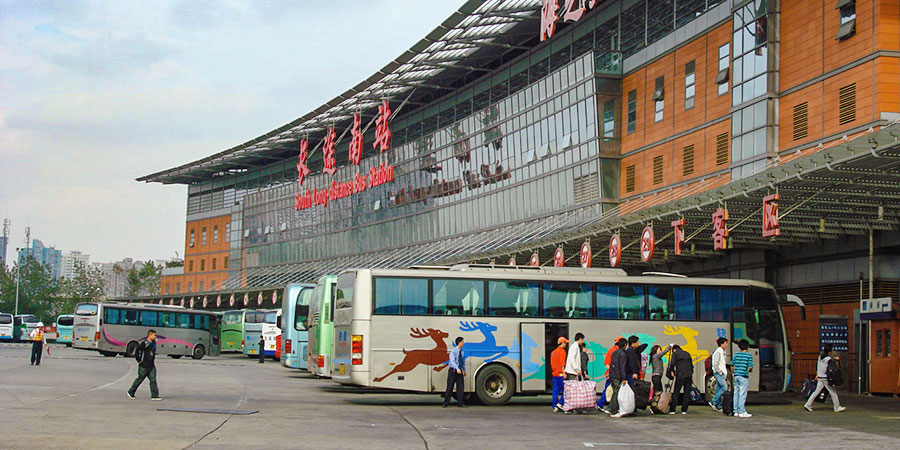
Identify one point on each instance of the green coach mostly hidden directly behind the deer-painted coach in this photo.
(321, 328)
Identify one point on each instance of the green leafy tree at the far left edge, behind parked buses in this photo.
(38, 290)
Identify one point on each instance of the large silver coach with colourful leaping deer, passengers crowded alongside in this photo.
(393, 328)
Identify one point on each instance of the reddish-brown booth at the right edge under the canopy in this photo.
(884, 355)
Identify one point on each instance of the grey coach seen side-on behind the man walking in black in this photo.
(117, 328)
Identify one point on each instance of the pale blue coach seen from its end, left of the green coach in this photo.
(294, 322)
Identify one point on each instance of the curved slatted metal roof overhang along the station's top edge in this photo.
(470, 41)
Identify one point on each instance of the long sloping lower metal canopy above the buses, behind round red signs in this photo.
(826, 193)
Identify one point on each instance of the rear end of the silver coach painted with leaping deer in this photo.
(351, 329)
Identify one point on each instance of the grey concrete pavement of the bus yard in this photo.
(76, 399)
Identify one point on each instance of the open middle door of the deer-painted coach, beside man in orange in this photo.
(537, 341)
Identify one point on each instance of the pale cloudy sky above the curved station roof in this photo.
(94, 94)
